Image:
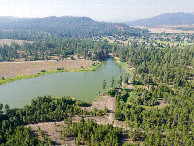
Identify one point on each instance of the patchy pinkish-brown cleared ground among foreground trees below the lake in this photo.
(53, 131)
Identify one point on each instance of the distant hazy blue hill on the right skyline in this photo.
(166, 19)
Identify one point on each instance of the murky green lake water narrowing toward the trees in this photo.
(80, 85)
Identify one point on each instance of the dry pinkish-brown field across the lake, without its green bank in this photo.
(12, 69)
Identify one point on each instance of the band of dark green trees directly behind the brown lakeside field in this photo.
(62, 48)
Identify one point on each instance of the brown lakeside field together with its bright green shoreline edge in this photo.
(12, 71)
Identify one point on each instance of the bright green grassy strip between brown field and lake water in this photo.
(19, 77)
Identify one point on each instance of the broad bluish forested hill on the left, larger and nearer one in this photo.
(66, 26)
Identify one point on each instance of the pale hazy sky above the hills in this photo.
(101, 10)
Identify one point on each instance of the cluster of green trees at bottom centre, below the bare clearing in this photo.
(90, 133)
